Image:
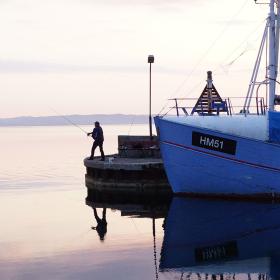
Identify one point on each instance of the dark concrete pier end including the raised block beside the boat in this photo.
(137, 169)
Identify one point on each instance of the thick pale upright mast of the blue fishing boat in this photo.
(273, 47)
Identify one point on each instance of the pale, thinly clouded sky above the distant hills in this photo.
(90, 56)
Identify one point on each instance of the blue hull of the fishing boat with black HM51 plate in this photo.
(206, 162)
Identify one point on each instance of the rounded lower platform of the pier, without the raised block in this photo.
(135, 175)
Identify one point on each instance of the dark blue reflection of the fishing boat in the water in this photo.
(222, 239)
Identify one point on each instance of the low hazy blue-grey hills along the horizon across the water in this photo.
(76, 119)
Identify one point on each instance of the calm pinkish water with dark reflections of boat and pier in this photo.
(48, 224)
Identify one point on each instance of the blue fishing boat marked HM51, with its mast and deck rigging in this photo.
(213, 151)
